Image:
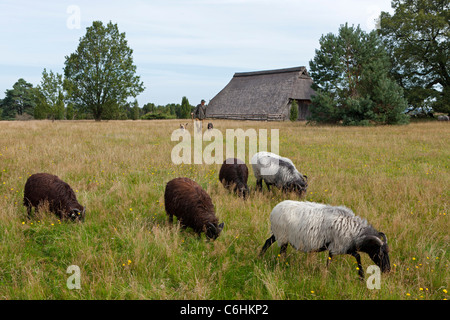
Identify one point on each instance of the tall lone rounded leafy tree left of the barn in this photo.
(100, 74)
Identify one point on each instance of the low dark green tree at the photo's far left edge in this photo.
(19, 100)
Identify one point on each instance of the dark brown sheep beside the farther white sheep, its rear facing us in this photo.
(234, 173)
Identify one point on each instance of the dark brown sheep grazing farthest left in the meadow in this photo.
(41, 188)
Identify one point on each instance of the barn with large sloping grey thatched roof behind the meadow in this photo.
(263, 95)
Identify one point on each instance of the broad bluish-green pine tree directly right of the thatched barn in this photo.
(350, 72)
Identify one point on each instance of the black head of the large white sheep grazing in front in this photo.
(377, 249)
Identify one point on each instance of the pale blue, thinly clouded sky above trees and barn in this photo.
(181, 48)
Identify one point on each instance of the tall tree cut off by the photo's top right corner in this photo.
(417, 39)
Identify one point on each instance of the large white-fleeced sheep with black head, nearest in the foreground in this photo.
(310, 226)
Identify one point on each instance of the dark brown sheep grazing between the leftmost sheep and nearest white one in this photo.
(193, 207)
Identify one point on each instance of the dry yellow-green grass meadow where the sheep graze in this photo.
(397, 177)
